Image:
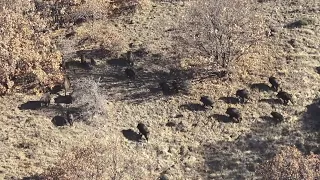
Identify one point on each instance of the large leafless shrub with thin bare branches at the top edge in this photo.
(221, 30)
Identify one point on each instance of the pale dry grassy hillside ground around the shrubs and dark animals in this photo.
(202, 145)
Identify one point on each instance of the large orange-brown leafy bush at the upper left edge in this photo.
(28, 58)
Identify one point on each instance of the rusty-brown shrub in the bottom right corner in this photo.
(291, 164)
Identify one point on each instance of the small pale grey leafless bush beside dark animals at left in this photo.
(89, 98)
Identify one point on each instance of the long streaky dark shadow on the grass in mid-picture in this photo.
(145, 86)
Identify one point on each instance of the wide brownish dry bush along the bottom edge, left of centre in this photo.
(97, 161)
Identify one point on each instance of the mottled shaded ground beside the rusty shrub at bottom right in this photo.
(239, 159)
